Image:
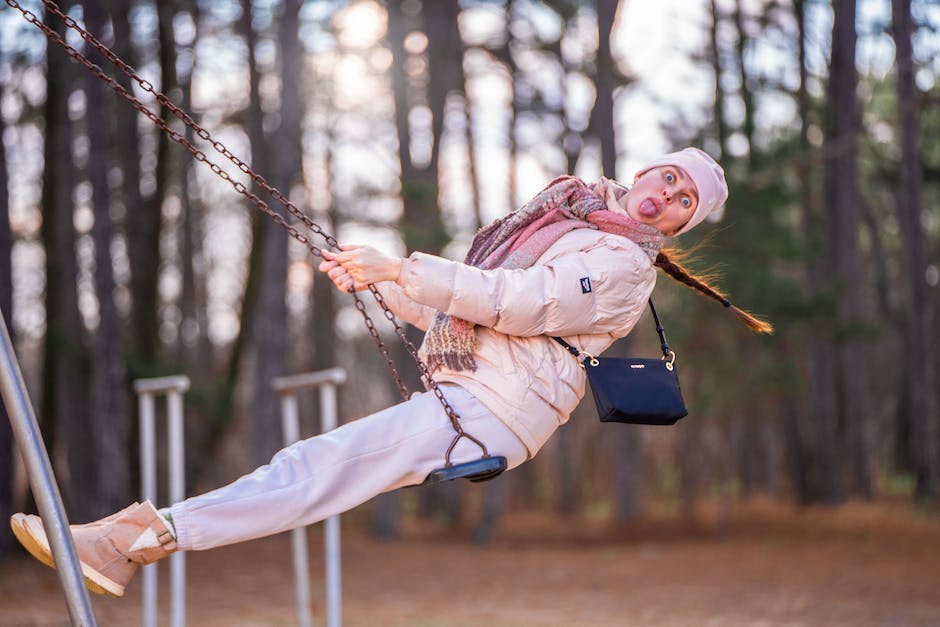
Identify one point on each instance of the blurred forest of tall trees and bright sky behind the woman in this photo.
(409, 124)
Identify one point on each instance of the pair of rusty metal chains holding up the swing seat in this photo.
(241, 188)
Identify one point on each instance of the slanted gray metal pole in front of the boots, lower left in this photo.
(42, 482)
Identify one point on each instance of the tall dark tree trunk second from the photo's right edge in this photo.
(841, 189)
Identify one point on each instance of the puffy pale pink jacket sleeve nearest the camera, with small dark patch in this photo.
(600, 290)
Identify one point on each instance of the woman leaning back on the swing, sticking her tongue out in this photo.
(576, 261)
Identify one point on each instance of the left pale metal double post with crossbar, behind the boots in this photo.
(173, 387)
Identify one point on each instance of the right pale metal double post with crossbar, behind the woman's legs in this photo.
(326, 380)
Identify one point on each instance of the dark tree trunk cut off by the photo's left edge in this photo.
(6, 307)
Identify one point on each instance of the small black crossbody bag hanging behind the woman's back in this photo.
(634, 391)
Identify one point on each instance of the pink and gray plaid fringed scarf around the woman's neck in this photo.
(518, 239)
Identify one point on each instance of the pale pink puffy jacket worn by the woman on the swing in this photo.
(590, 288)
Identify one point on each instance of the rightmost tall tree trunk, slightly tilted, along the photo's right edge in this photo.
(921, 372)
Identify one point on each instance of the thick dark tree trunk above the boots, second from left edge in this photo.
(64, 406)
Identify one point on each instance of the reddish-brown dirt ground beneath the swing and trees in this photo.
(768, 564)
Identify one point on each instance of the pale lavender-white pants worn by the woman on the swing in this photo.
(313, 479)
